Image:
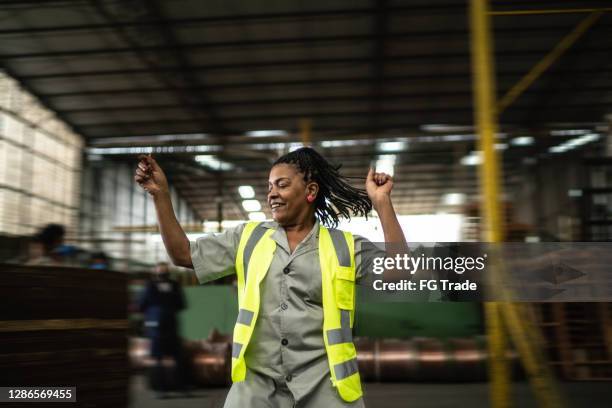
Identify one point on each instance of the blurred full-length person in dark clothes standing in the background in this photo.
(161, 301)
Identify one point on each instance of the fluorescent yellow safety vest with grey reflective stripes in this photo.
(337, 258)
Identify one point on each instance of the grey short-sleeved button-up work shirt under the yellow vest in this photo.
(286, 356)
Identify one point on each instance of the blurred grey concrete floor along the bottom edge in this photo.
(413, 395)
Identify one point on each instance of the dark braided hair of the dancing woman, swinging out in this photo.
(336, 196)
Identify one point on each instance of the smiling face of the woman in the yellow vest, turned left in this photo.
(287, 192)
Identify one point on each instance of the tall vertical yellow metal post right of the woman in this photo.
(483, 82)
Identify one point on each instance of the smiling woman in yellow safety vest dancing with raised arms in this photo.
(292, 342)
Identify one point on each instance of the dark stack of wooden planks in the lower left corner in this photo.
(65, 327)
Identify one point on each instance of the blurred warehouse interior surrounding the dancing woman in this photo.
(494, 118)
